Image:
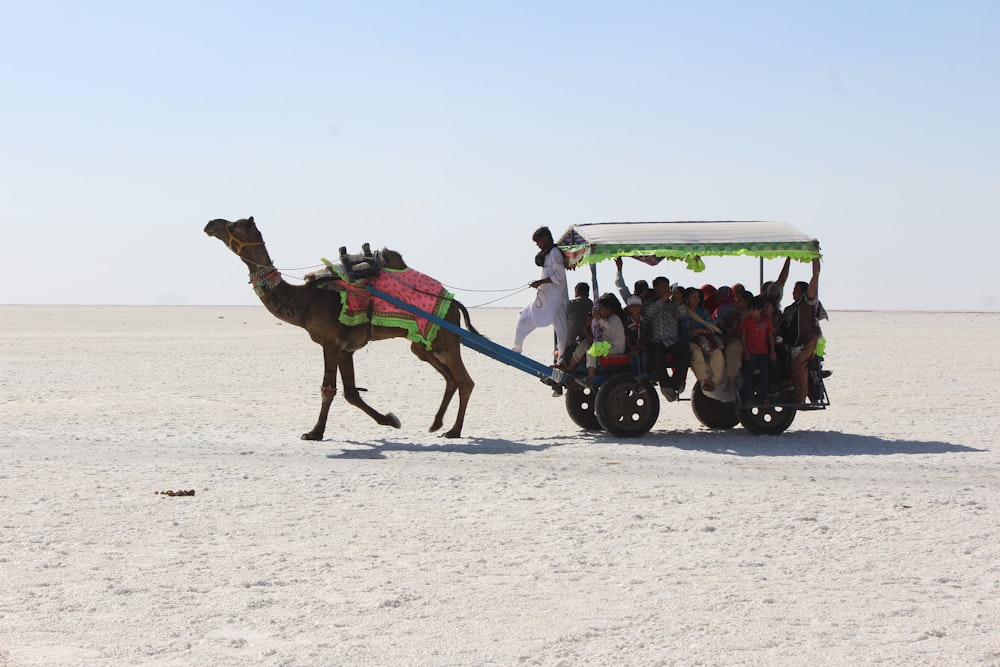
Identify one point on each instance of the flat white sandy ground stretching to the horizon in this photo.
(866, 534)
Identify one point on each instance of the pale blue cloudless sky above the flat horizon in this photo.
(450, 130)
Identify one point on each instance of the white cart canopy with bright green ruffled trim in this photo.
(687, 241)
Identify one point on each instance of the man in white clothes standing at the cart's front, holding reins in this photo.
(549, 306)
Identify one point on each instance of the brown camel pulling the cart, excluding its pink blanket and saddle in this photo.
(317, 311)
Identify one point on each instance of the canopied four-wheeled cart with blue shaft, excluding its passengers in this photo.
(616, 402)
